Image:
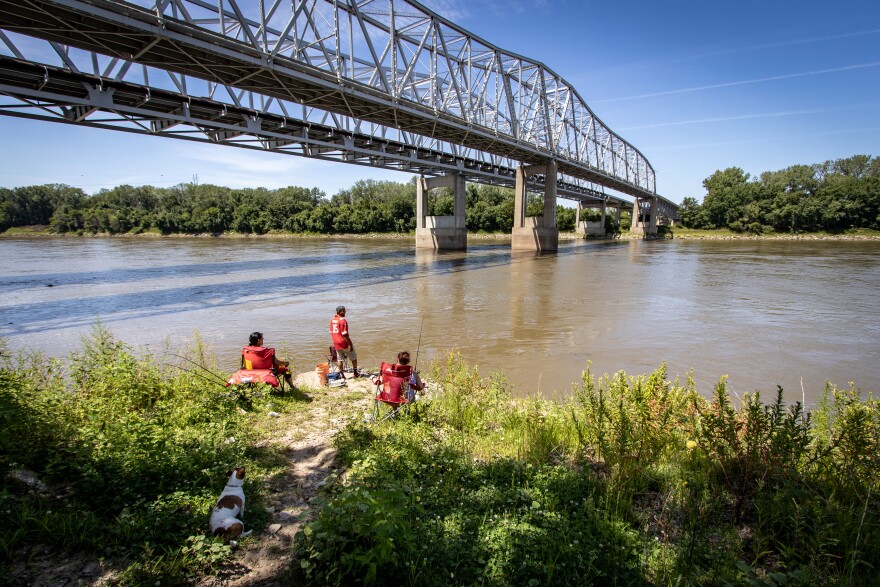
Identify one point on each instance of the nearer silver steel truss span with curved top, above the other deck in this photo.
(390, 62)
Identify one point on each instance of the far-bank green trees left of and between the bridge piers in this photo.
(369, 206)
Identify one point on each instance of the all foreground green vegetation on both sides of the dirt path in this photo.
(633, 481)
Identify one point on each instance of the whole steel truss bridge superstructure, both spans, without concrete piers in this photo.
(381, 83)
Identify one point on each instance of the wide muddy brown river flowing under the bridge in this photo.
(766, 313)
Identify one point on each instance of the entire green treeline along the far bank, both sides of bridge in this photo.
(834, 196)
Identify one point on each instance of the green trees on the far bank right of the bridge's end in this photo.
(833, 196)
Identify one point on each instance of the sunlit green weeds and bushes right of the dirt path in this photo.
(634, 481)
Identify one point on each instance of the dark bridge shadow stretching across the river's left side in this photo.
(312, 275)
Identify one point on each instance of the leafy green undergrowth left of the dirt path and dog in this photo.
(121, 458)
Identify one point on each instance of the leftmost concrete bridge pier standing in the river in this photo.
(441, 232)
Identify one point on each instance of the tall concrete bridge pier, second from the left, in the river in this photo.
(531, 233)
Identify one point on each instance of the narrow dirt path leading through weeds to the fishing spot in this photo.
(306, 440)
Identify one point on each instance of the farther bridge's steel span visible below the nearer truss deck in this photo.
(68, 95)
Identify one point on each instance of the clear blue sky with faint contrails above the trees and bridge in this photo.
(696, 86)
